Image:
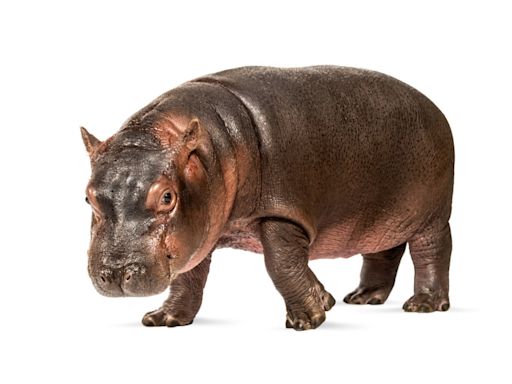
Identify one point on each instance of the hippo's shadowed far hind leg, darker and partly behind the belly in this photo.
(377, 277)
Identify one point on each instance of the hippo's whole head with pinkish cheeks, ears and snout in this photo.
(158, 205)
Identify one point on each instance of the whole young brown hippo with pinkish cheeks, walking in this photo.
(295, 163)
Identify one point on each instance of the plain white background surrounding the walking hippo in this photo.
(95, 63)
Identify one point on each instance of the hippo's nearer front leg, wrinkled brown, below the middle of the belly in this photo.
(286, 248)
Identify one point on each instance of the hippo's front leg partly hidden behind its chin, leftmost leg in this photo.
(184, 301)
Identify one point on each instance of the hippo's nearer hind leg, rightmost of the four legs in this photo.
(430, 251)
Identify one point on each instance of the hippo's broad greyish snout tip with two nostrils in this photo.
(129, 280)
